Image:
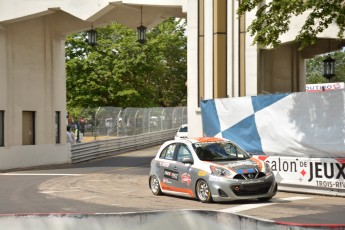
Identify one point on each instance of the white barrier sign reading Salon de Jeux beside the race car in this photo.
(310, 175)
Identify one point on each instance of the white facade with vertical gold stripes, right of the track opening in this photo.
(223, 62)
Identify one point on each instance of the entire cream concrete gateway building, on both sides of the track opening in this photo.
(221, 63)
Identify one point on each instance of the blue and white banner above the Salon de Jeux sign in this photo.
(293, 124)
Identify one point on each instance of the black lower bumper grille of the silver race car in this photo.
(251, 189)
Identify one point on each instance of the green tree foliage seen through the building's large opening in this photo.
(120, 72)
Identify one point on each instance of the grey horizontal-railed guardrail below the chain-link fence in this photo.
(98, 149)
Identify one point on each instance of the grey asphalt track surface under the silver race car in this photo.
(119, 184)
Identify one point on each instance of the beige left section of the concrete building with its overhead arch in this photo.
(32, 69)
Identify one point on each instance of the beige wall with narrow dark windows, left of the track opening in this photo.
(32, 79)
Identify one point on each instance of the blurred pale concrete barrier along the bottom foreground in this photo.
(168, 220)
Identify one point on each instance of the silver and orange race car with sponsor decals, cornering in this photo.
(210, 169)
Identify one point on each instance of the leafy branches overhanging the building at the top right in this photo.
(273, 19)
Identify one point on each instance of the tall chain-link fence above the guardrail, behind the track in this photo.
(108, 122)
